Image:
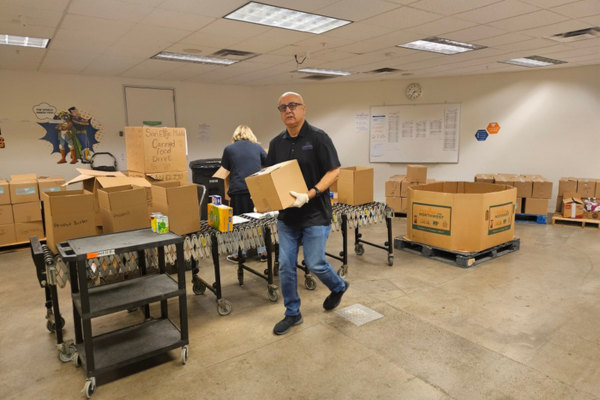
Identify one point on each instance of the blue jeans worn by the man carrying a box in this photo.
(313, 240)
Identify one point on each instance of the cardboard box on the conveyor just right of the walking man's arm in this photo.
(355, 185)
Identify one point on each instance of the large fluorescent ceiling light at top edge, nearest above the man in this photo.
(285, 18)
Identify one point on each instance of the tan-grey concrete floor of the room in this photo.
(523, 326)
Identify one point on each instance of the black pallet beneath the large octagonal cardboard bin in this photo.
(460, 259)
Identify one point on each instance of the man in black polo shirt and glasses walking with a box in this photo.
(308, 221)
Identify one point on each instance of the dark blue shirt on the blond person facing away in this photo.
(242, 159)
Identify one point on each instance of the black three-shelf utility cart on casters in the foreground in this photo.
(156, 335)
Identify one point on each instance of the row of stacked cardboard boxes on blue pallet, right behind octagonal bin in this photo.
(533, 191)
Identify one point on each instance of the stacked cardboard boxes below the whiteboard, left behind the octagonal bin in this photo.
(396, 188)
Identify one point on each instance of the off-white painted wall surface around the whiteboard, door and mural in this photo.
(550, 119)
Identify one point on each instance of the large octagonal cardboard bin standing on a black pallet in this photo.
(480, 217)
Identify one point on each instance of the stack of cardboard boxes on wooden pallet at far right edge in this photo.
(574, 191)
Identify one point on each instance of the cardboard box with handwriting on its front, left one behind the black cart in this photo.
(68, 215)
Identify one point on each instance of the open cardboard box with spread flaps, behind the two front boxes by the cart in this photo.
(92, 181)
